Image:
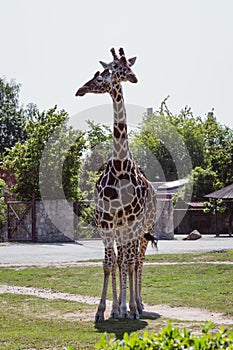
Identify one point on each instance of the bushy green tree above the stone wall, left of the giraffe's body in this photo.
(50, 158)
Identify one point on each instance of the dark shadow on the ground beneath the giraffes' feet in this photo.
(119, 326)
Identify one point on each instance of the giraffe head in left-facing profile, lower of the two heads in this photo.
(99, 84)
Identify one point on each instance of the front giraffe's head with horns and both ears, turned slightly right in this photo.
(121, 67)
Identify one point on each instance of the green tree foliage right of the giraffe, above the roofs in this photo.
(165, 144)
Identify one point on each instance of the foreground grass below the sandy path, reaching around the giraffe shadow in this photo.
(32, 323)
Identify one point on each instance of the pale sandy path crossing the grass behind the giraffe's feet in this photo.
(165, 311)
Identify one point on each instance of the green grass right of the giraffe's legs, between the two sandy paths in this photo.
(205, 286)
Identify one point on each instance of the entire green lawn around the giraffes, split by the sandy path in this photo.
(28, 322)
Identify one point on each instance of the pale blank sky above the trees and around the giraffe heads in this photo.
(184, 49)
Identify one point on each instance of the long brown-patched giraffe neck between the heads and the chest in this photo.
(120, 135)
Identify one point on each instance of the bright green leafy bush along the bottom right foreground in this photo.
(171, 338)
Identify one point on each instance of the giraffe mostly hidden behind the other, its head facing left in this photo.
(101, 83)
